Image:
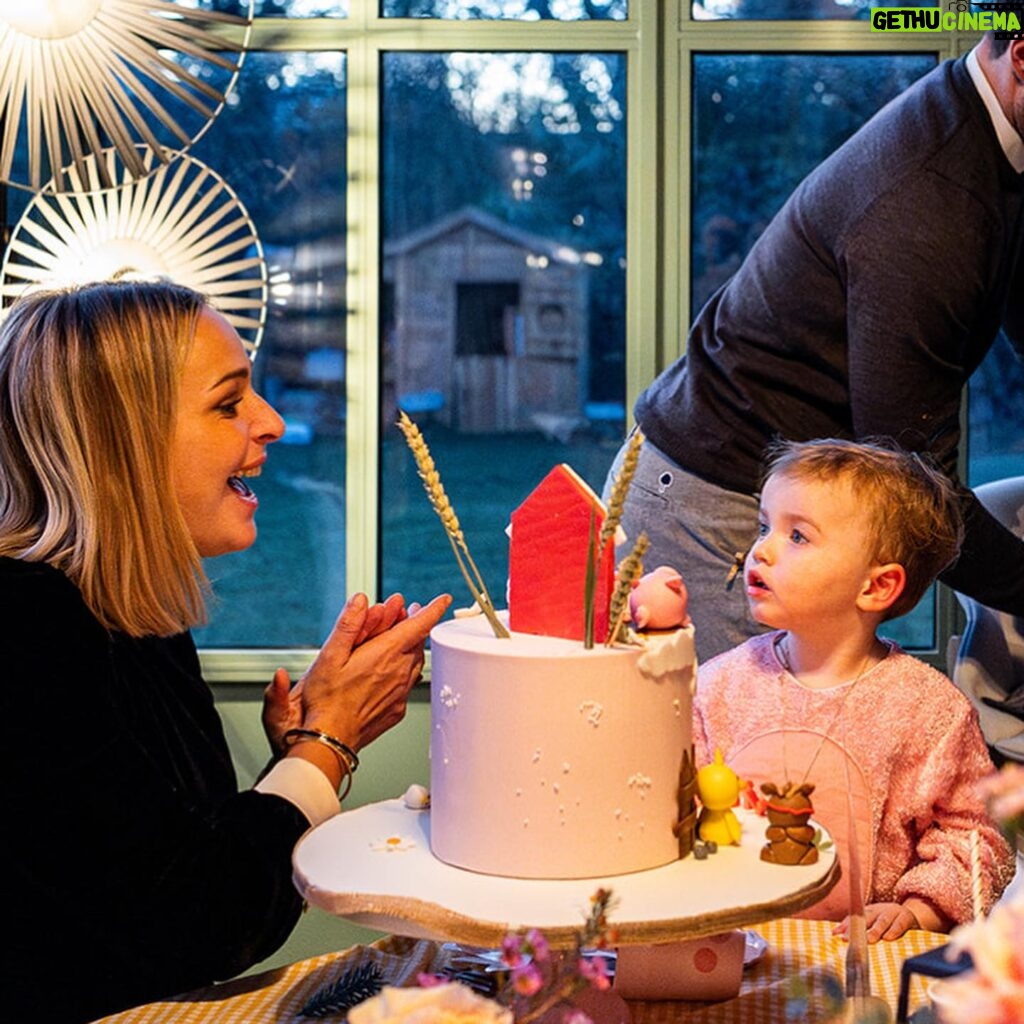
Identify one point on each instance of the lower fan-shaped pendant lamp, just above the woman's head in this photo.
(182, 223)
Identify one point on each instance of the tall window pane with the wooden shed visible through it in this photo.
(503, 334)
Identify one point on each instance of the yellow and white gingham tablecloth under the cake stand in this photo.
(801, 955)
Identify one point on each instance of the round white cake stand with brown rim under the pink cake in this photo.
(373, 866)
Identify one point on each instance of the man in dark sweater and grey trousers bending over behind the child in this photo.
(861, 313)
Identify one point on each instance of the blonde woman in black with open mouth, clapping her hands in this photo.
(134, 868)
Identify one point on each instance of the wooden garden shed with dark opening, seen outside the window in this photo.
(485, 326)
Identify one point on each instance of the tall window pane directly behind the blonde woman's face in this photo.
(282, 148)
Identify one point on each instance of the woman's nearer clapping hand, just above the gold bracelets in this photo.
(358, 687)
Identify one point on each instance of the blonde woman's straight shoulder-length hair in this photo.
(90, 382)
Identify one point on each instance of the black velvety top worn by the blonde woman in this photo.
(133, 868)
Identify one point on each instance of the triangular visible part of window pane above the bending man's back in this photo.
(750, 156)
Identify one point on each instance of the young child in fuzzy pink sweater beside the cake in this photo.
(849, 536)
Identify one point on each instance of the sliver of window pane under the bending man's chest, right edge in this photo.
(996, 448)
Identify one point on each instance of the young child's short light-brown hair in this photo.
(913, 509)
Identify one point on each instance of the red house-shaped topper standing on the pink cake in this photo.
(550, 541)
